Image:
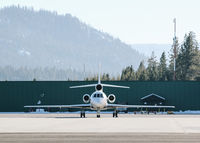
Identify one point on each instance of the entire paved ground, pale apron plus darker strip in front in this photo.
(45, 128)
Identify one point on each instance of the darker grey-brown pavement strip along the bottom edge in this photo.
(98, 138)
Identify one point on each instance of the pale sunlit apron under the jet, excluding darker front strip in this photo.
(17, 123)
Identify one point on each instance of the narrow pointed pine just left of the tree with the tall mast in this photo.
(162, 68)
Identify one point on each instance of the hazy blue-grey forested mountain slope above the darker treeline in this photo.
(40, 39)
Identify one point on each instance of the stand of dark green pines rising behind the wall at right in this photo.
(187, 57)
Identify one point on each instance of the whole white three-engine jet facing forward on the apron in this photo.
(98, 101)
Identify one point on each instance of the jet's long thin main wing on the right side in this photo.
(137, 106)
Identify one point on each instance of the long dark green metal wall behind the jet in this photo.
(185, 95)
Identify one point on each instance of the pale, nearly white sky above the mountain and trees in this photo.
(132, 21)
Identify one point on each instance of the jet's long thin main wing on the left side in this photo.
(59, 106)
